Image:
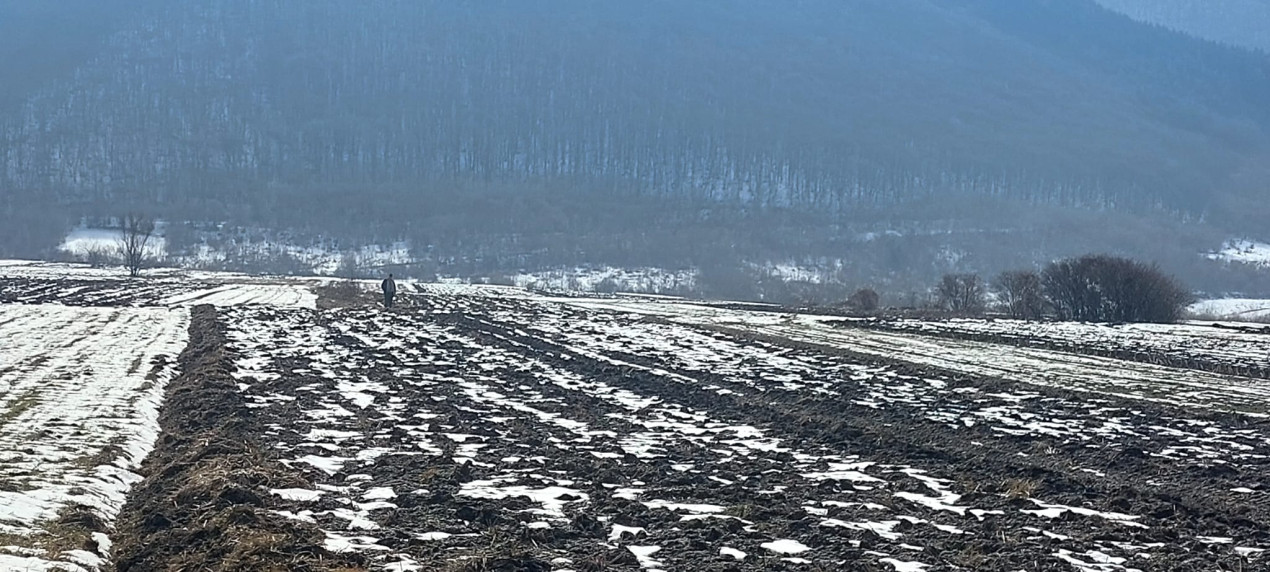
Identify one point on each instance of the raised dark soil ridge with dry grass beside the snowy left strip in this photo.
(205, 503)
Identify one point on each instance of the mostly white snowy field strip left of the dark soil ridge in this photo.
(81, 391)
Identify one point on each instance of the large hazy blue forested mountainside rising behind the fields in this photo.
(979, 134)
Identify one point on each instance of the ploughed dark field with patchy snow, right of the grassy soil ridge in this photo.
(463, 432)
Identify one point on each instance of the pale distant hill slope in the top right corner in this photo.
(1234, 22)
